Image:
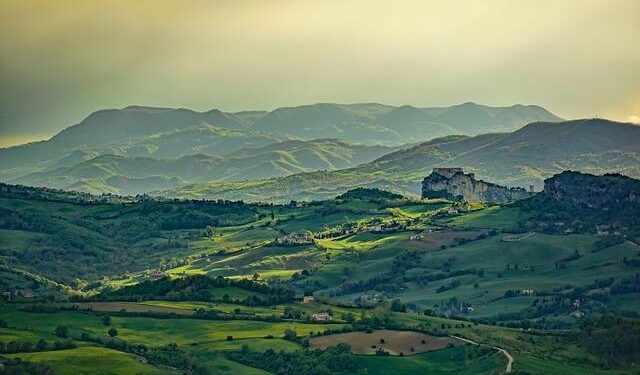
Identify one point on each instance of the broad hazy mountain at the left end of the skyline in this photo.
(138, 131)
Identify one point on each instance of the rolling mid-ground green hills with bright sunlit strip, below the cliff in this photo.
(359, 243)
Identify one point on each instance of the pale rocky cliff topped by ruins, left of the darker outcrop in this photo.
(453, 183)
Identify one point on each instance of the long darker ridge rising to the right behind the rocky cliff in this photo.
(521, 158)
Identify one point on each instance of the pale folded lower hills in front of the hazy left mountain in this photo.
(120, 174)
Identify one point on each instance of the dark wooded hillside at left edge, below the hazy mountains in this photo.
(108, 238)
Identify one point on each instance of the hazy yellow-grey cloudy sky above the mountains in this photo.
(61, 60)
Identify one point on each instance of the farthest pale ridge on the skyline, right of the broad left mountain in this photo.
(376, 123)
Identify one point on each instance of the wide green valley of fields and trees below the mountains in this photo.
(221, 289)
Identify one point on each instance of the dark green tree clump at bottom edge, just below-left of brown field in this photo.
(305, 362)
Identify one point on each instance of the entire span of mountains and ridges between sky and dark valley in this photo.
(283, 155)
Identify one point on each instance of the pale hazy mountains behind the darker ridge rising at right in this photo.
(138, 149)
